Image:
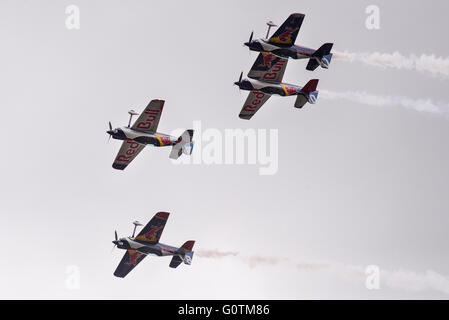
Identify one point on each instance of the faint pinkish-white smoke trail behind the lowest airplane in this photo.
(401, 279)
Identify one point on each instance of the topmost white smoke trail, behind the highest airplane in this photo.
(423, 63)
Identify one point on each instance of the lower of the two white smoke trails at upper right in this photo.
(421, 105)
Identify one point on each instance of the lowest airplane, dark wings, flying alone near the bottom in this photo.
(146, 243)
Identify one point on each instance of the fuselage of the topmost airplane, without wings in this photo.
(282, 51)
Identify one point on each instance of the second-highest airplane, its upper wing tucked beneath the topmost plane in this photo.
(265, 80)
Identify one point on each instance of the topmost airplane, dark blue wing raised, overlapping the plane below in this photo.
(282, 44)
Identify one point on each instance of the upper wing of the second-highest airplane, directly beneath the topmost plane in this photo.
(268, 67)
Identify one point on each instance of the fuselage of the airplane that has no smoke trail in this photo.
(145, 138)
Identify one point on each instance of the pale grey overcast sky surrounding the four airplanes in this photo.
(357, 184)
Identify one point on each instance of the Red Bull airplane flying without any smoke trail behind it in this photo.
(143, 132)
